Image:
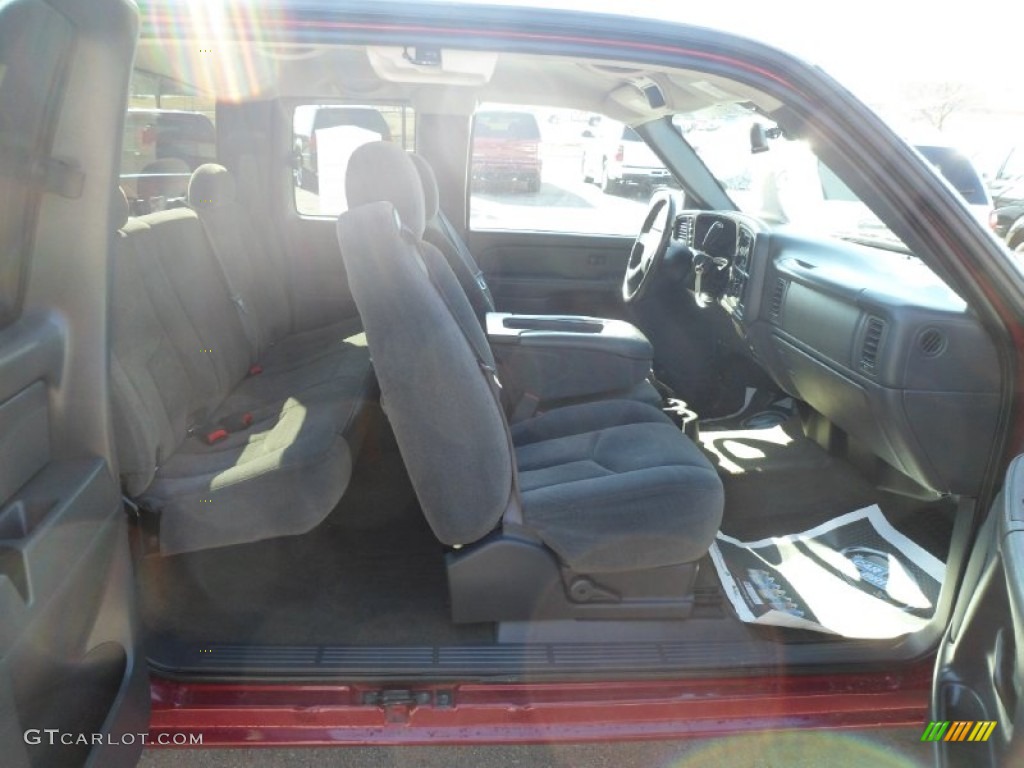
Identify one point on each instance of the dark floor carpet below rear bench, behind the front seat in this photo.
(372, 574)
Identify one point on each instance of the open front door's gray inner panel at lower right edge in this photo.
(979, 674)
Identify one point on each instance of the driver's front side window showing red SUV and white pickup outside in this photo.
(539, 169)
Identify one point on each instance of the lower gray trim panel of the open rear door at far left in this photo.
(69, 654)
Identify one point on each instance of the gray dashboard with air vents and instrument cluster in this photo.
(869, 337)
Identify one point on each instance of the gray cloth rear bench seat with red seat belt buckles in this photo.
(185, 367)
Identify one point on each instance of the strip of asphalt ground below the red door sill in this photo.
(887, 749)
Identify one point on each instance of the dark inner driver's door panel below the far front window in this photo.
(553, 274)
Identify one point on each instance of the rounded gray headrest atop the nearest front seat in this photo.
(382, 172)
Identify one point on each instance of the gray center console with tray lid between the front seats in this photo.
(553, 360)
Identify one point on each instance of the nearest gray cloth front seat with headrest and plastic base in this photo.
(600, 510)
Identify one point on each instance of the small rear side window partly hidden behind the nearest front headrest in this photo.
(324, 138)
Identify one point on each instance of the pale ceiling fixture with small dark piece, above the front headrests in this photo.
(415, 64)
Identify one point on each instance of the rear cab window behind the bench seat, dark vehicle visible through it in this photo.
(169, 133)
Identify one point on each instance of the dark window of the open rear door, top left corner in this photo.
(32, 65)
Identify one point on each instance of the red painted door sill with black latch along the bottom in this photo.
(252, 715)
